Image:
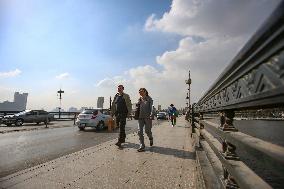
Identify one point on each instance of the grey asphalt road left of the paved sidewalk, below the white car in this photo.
(21, 150)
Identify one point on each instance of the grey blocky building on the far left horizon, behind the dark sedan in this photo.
(19, 103)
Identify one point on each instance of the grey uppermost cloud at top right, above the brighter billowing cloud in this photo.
(209, 18)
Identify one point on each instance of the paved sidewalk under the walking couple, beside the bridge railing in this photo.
(170, 163)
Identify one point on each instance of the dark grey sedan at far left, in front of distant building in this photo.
(28, 116)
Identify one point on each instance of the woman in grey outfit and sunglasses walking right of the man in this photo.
(145, 103)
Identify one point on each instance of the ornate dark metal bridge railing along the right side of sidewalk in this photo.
(253, 80)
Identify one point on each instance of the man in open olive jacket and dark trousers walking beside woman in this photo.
(121, 109)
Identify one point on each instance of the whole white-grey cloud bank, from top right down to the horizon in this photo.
(224, 27)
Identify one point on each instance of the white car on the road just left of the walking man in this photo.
(96, 118)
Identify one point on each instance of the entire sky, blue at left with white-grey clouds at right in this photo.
(88, 47)
